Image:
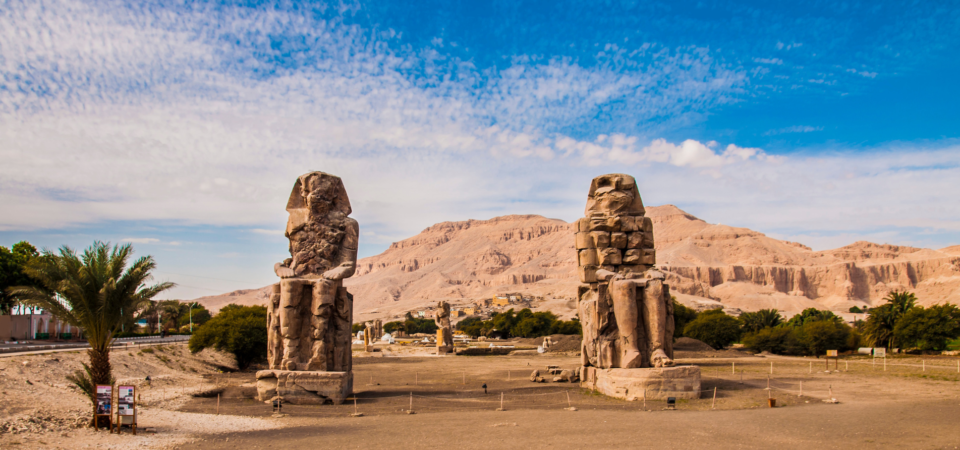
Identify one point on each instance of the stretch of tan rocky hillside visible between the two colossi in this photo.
(468, 260)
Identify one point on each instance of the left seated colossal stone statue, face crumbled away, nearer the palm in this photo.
(310, 313)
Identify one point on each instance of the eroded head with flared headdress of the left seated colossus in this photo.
(321, 194)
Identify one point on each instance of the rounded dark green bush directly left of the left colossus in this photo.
(239, 330)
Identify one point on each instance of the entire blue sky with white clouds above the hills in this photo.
(181, 127)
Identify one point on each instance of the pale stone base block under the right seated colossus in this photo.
(682, 382)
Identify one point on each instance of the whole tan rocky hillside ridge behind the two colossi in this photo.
(705, 263)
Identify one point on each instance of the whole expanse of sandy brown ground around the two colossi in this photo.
(915, 403)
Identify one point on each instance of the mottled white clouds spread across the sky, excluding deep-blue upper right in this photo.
(202, 115)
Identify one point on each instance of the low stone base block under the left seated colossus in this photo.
(304, 388)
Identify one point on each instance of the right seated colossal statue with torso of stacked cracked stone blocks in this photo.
(624, 306)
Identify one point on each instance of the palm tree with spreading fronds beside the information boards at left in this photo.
(93, 291)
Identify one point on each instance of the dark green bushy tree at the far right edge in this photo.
(928, 328)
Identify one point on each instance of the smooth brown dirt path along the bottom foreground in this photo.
(884, 425)
